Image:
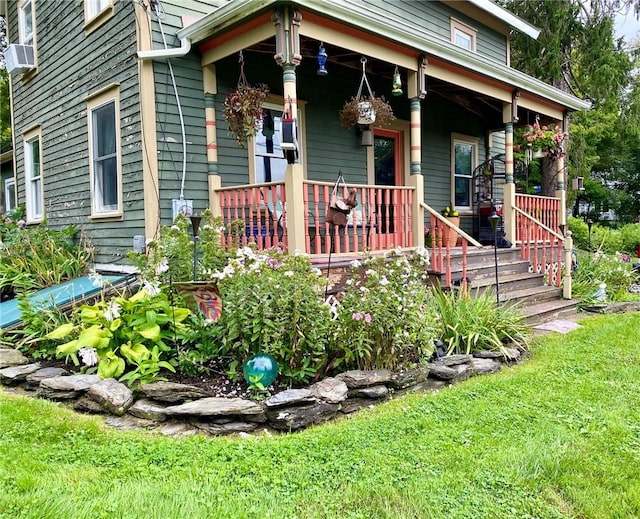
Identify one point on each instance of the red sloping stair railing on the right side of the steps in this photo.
(542, 246)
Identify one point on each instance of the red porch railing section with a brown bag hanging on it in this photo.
(381, 220)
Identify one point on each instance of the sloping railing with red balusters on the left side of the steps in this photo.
(441, 244)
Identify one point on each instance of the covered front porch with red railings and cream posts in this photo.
(448, 95)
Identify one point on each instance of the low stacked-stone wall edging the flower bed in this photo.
(179, 409)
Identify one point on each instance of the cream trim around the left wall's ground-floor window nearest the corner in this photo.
(99, 99)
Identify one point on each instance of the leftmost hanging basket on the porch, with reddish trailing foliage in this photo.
(243, 107)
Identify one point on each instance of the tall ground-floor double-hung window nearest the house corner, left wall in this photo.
(104, 155)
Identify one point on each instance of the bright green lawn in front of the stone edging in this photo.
(557, 436)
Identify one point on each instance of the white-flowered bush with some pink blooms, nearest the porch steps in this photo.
(384, 319)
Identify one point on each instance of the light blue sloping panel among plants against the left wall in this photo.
(59, 295)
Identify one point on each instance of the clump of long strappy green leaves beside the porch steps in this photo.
(471, 323)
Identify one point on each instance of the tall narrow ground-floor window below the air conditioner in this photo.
(33, 180)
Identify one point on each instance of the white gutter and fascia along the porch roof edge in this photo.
(365, 17)
